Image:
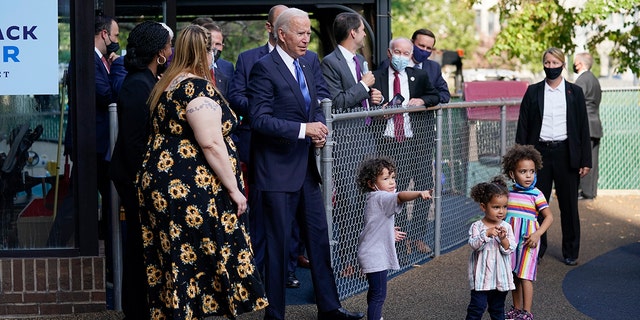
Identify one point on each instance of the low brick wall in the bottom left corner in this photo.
(51, 286)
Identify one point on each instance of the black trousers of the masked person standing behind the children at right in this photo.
(556, 170)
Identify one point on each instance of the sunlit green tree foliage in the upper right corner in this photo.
(530, 27)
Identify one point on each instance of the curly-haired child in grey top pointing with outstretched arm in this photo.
(376, 244)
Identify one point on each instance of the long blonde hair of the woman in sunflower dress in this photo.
(190, 56)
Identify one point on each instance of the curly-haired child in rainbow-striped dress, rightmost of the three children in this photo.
(526, 203)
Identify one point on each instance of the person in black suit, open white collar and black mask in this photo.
(553, 118)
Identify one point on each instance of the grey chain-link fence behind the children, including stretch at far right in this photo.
(451, 148)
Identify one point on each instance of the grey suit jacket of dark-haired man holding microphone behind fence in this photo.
(345, 92)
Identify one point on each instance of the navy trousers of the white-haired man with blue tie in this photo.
(280, 209)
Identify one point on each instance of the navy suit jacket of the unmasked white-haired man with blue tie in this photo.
(281, 160)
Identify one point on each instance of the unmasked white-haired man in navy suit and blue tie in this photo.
(287, 126)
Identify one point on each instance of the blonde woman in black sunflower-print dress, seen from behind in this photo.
(196, 249)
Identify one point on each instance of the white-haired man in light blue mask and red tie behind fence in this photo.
(405, 133)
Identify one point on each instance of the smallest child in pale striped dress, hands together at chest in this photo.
(492, 241)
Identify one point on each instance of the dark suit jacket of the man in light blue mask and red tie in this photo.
(419, 85)
